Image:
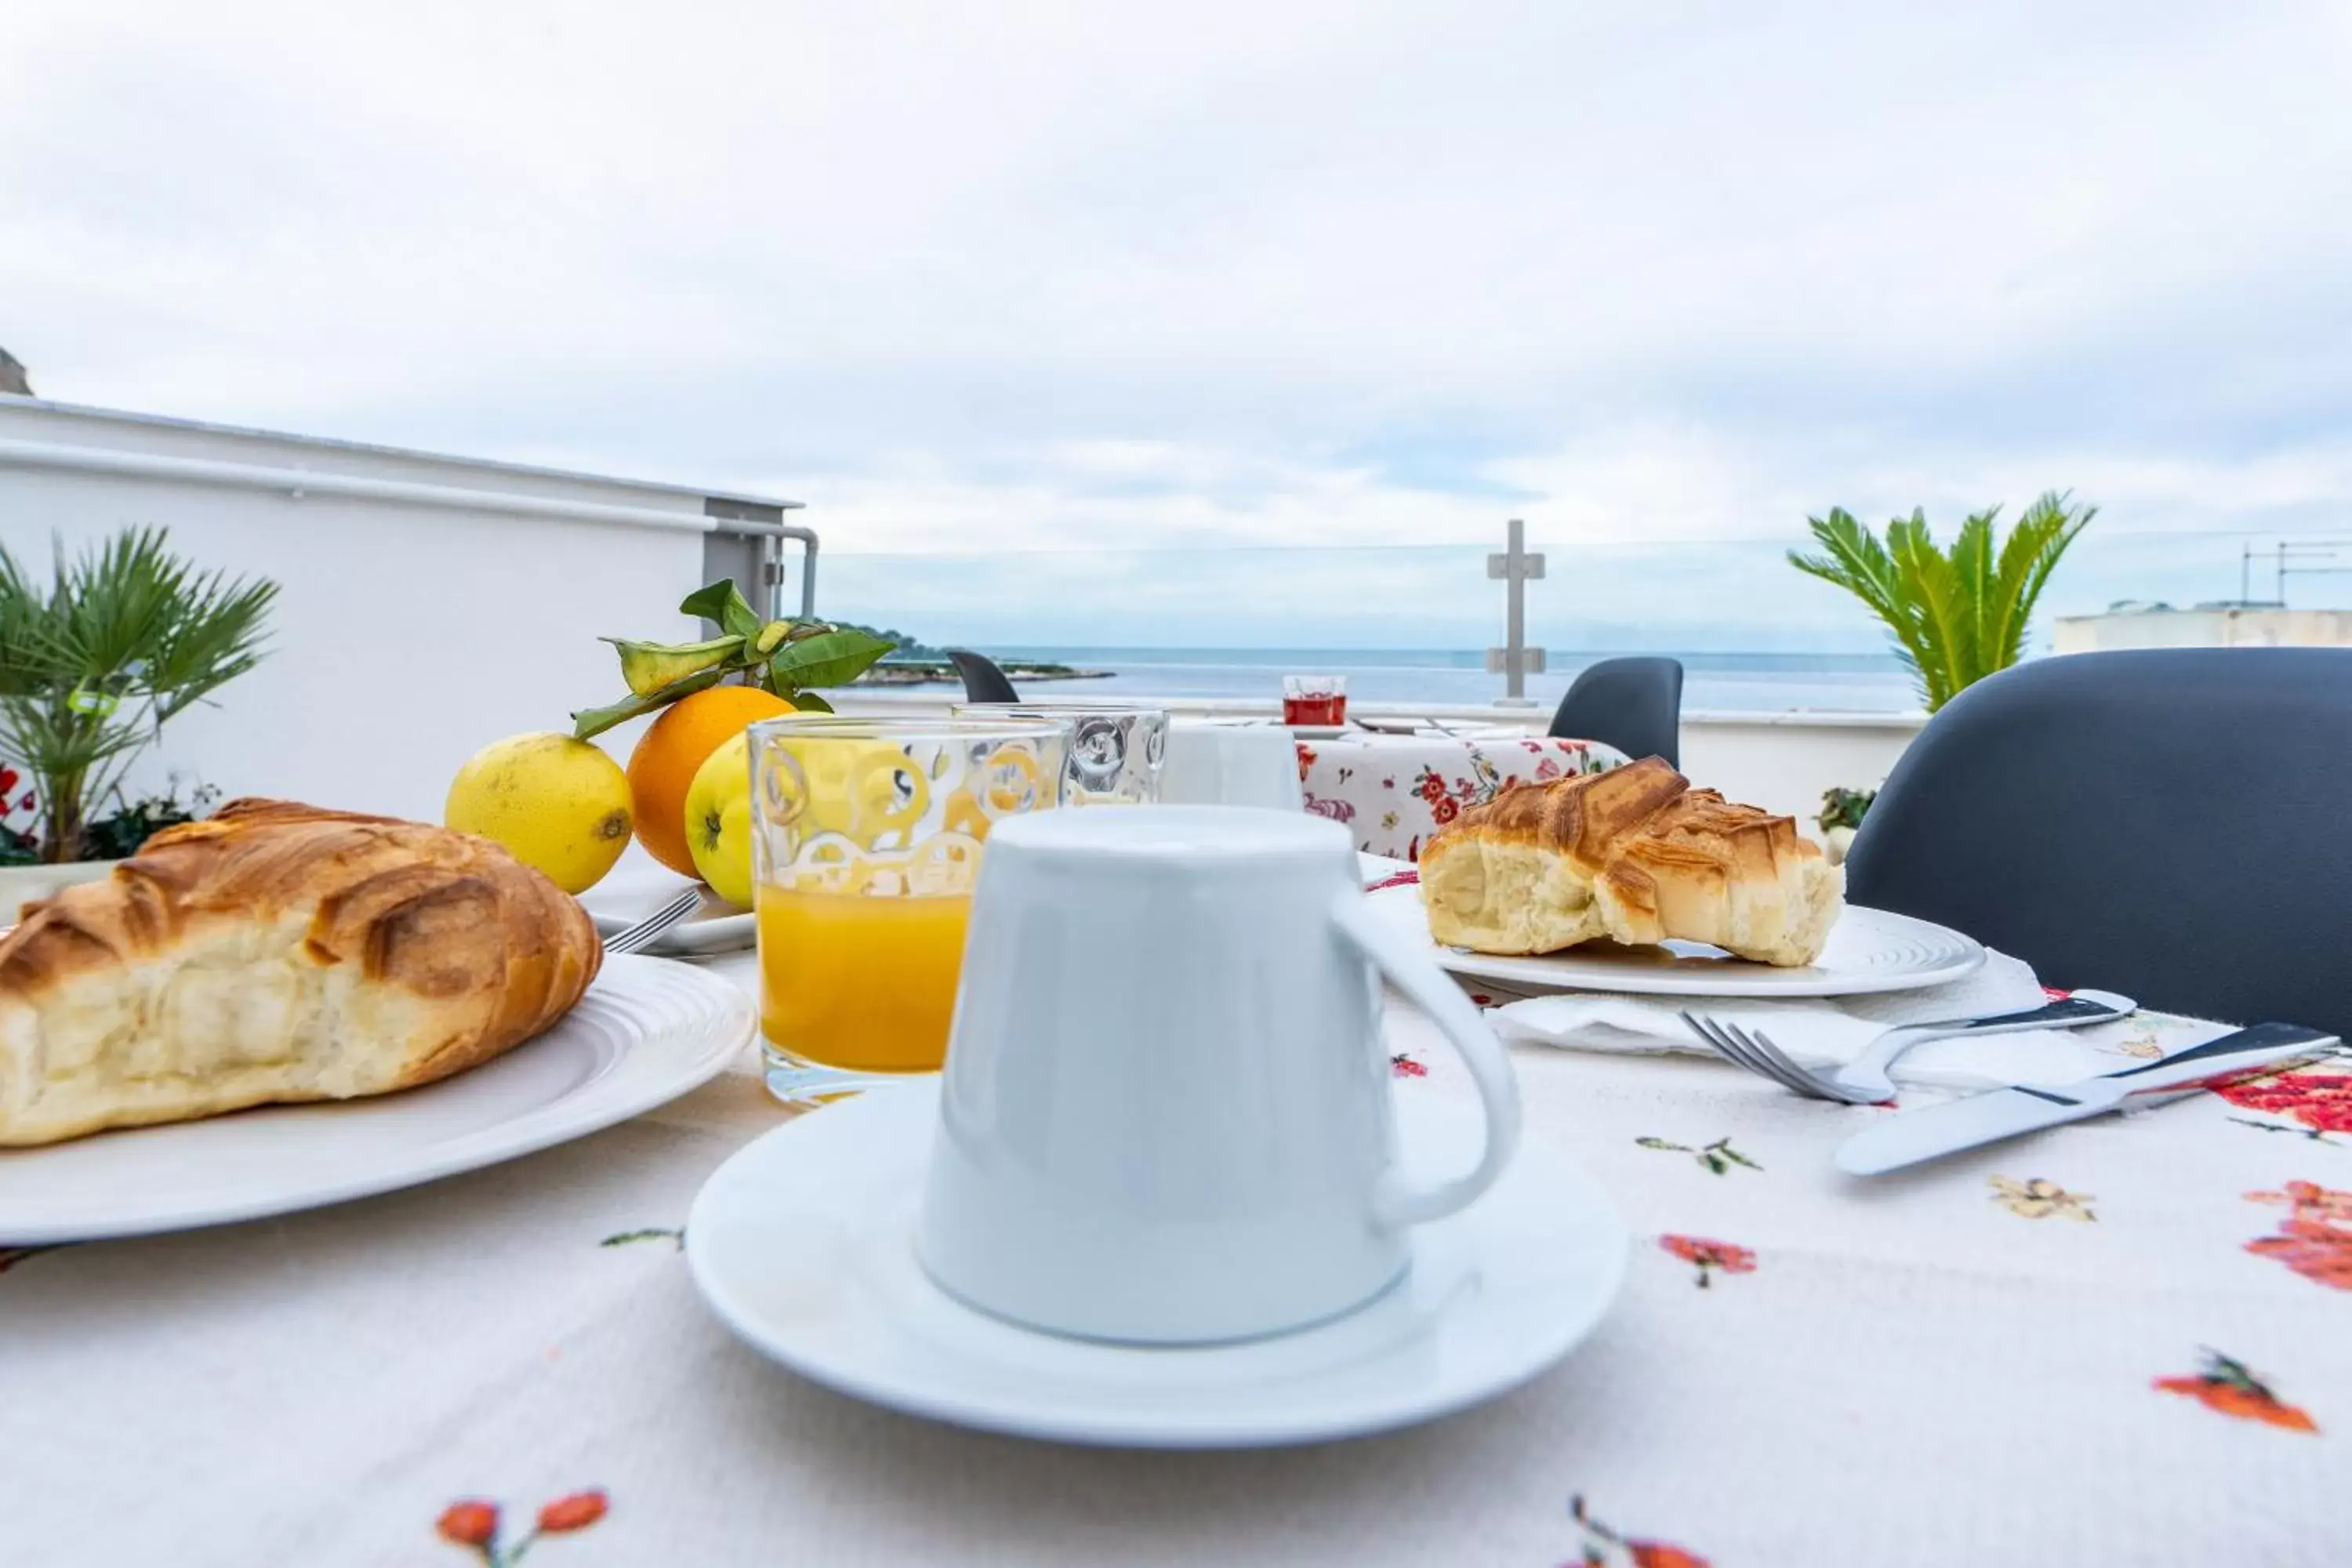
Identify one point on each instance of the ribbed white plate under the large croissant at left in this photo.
(646, 1033)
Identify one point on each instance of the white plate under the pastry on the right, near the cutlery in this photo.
(1869, 951)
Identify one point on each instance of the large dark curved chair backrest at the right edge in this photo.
(2170, 824)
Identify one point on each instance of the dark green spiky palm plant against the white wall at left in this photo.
(93, 664)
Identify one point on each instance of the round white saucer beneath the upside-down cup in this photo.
(803, 1245)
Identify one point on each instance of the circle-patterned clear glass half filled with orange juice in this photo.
(867, 840)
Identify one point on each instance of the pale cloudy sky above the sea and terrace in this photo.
(1057, 297)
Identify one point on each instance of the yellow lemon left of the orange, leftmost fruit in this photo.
(554, 803)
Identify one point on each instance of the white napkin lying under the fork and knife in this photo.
(1833, 1031)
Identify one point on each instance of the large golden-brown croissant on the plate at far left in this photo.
(279, 953)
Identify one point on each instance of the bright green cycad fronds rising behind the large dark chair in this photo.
(1956, 615)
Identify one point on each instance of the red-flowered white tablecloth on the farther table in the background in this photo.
(1396, 791)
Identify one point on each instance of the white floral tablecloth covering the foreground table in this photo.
(2116, 1343)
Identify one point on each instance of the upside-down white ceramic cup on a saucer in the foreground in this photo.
(1168, 1106)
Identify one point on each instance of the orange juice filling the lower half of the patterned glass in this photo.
(857, 981)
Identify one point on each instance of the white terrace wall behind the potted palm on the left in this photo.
(406, 634)
